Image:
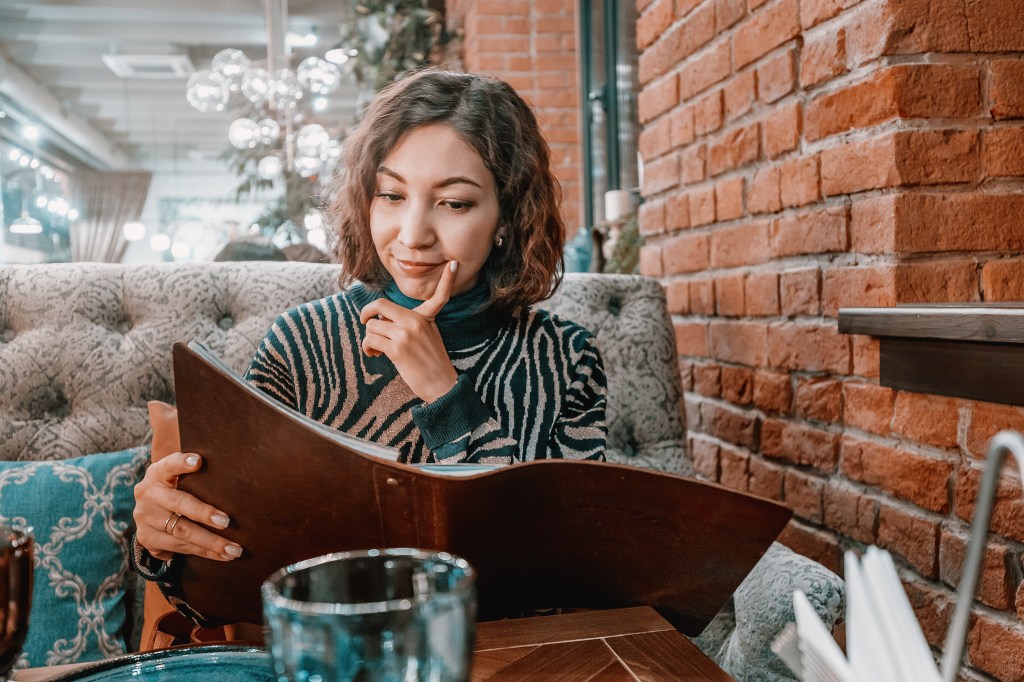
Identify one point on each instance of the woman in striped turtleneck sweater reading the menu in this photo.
(448, 216)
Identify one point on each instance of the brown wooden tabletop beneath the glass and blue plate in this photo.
(629, 645)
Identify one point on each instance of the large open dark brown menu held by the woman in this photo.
(541, 534)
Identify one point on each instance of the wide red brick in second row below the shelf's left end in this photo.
(909, 476)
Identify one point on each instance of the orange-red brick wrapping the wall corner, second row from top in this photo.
(909, 92)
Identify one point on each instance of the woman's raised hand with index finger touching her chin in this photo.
(412, 342)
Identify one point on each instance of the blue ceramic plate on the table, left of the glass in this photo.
(212, 663)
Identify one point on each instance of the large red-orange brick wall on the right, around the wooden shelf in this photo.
(807, 155)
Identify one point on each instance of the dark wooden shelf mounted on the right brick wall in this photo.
(972, 352)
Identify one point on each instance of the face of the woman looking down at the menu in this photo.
(436, 202)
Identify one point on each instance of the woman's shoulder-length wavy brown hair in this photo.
(495, 121)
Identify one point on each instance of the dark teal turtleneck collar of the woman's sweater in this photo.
(465, 321)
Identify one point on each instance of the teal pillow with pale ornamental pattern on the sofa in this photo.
(80, 511)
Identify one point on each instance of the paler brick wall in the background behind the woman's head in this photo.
(532, 45)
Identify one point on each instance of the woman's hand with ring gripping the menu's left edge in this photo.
(168, 520)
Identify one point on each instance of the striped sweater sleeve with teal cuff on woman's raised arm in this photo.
(459, 428)
